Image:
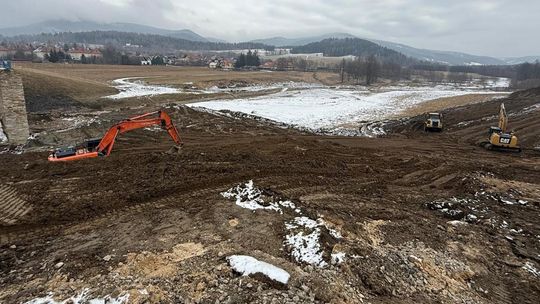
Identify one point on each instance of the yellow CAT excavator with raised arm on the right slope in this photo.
(499, 138)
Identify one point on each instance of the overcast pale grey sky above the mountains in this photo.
(483, 27)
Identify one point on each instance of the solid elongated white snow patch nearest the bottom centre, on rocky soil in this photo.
(247, 265)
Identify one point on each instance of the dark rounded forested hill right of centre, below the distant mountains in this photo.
(353, 46)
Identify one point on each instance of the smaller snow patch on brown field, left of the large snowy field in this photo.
(129, 87)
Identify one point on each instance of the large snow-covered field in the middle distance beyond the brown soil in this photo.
(327, 108)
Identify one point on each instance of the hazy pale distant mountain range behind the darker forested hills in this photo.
(444, 57)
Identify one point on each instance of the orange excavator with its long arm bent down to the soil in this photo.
(103, 146)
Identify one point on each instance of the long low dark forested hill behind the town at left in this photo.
(147, 41)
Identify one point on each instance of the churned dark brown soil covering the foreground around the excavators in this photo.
(143, 219)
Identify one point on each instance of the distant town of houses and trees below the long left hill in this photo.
(131, 54)
